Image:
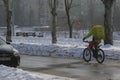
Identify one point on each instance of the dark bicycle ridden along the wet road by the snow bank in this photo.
(96, 52)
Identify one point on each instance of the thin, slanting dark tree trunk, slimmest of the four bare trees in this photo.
(68, 5)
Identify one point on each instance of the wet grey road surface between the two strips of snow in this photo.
(72, 68)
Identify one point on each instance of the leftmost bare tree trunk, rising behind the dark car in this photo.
(8, 19)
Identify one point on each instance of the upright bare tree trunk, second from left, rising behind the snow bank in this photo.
(53, 5)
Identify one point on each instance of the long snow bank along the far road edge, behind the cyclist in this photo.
(65, 47)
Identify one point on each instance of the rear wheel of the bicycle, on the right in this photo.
(100, 56)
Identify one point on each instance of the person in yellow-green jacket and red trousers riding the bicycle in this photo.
(97, 32)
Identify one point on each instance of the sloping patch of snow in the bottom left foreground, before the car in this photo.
(7, 73)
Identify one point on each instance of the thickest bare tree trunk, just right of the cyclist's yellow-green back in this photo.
(107, 21)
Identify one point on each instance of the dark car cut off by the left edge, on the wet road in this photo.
(8, 55)
